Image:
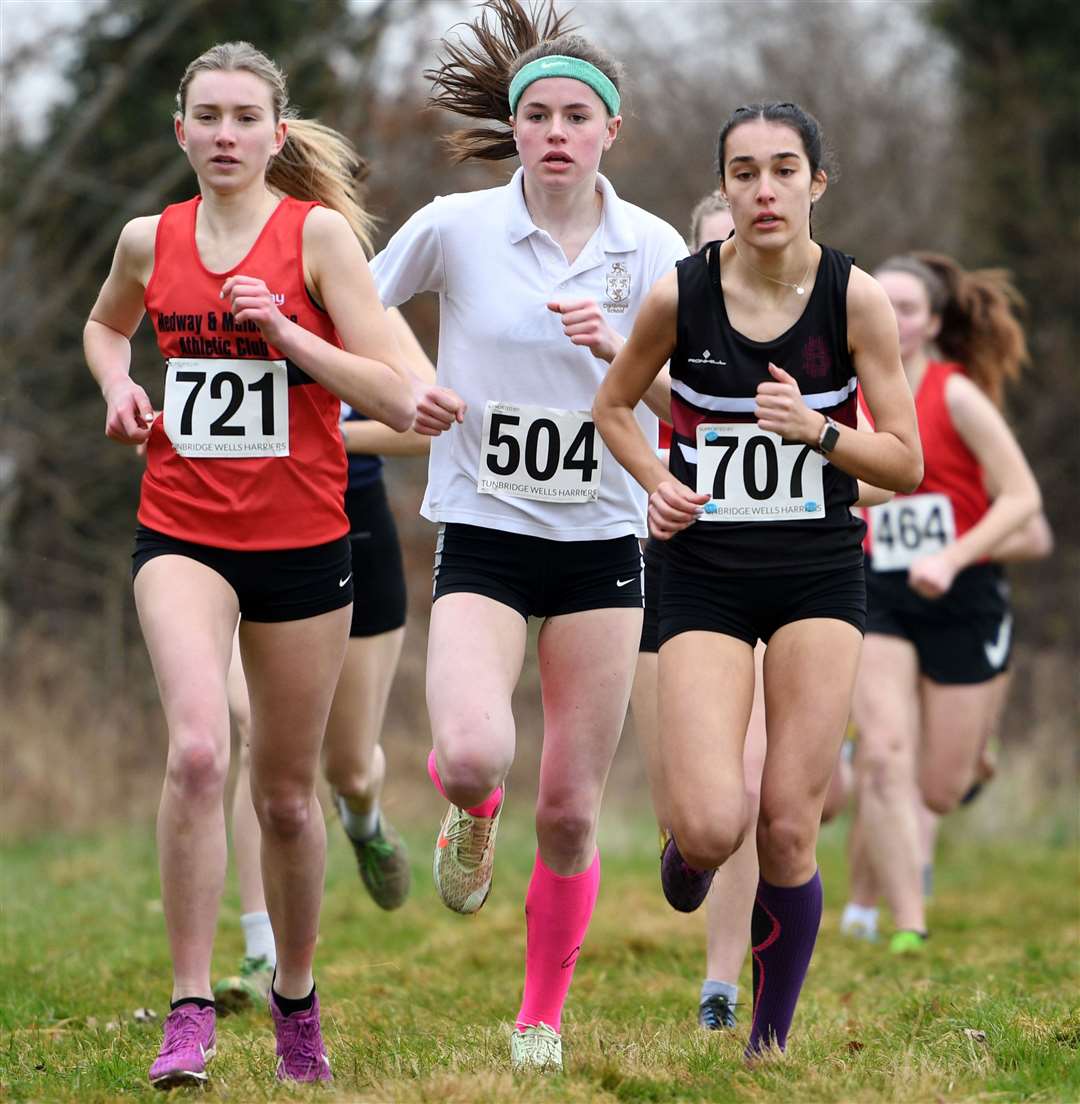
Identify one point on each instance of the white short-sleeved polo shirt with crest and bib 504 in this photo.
(523, 460)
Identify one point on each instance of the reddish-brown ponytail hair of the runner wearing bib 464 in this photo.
(979, 311)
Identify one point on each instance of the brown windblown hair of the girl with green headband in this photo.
(473, 79)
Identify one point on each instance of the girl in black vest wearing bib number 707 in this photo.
(768, 334)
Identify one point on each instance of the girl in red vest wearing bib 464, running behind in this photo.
(940, 629)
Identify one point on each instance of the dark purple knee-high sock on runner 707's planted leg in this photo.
(783, 931)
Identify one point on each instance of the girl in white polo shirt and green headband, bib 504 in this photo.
(539, 282)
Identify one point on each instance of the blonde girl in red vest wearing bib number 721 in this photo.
(267, 317)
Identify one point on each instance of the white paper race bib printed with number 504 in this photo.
(541, 453)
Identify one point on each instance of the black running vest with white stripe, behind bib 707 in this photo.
(715, 377)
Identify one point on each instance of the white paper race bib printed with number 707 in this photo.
(754, 475)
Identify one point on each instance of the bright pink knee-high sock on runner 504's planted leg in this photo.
(557, 914)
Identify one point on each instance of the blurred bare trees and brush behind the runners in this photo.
(957, 126)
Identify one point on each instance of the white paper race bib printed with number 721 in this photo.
(227, 409)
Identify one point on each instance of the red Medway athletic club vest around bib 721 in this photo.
(251, 504)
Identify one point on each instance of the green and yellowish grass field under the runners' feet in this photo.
(418, 1003)
